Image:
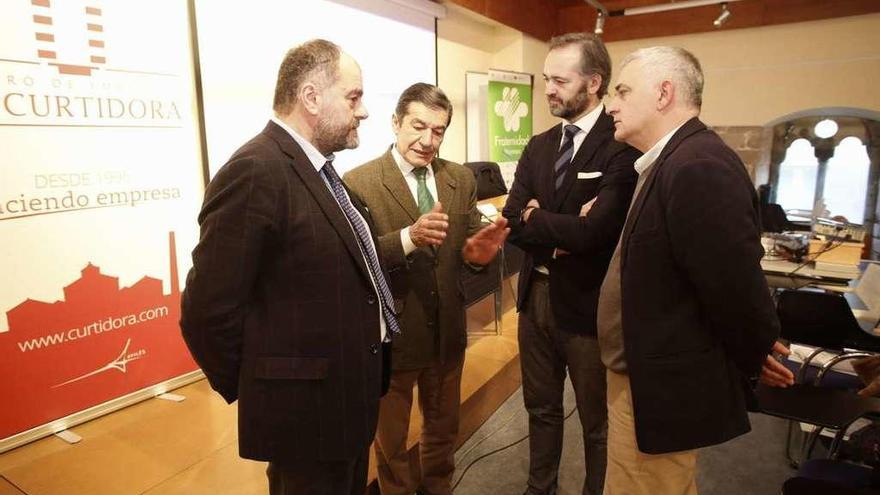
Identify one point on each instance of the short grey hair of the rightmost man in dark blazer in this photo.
(673, 64)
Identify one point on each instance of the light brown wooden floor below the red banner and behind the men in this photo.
(162, 447)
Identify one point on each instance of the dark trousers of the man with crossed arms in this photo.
(546, 353)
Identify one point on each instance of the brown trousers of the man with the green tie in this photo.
(430, 471)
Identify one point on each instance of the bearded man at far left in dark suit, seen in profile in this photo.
(286, 307)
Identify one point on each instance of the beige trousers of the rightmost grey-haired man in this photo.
(631, 472)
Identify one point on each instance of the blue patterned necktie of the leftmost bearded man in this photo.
(366, 245)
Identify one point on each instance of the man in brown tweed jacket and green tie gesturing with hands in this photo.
(425, 209)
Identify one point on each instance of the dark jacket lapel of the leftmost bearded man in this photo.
(318, 188)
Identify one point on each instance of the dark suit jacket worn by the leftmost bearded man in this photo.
(279, 309)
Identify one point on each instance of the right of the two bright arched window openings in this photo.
(846, 180)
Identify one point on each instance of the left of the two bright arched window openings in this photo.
(797, 177)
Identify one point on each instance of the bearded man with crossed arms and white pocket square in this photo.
(561, 171)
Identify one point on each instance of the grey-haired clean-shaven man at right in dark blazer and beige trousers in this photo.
(685, 315)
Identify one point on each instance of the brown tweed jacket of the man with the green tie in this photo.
(427, 283)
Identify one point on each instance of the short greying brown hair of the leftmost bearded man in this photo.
(315, 58)
